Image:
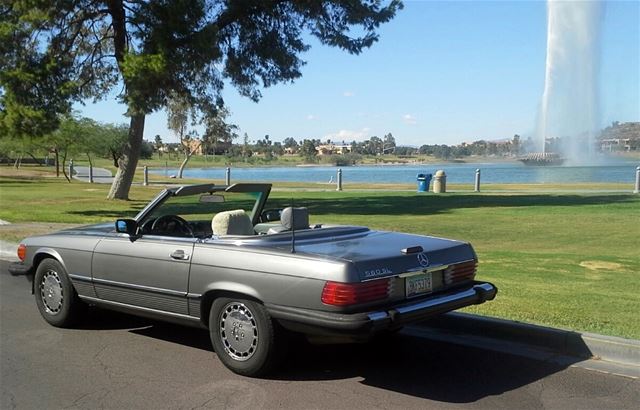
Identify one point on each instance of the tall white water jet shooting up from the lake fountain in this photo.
(570, 100)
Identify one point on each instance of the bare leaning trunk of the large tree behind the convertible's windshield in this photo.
(129, 160)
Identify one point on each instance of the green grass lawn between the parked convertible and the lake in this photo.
(566, 260)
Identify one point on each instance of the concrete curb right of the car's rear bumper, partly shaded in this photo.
(558, 341)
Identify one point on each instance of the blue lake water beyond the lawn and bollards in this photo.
(500, 173)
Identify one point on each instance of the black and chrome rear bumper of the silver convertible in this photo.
(364, 323)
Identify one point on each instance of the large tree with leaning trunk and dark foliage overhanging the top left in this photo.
(59, 51)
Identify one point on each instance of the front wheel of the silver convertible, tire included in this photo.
(56, 298)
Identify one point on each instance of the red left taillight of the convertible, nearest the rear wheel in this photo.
(343, 294)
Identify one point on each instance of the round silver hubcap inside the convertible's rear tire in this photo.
(238, 331)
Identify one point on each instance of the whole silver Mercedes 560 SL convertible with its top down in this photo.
(213, 256)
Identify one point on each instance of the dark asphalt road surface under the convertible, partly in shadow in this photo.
(121, 362)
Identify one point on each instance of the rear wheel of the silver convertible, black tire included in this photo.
(243, 336)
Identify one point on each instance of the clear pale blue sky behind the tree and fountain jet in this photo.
(443, 72)
